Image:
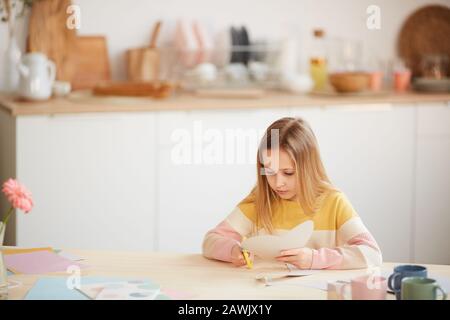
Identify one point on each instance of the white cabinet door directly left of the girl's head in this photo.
(197, 192)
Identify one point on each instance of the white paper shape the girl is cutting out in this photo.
(269, 246)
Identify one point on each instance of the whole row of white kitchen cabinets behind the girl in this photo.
(117, 181)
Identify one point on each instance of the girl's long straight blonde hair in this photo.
(297, 139)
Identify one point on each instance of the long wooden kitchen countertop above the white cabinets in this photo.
(84, 102)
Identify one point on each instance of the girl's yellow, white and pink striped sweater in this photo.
(339, 240)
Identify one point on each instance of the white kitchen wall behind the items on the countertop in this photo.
(128, 23)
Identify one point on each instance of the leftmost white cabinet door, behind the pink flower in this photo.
(93, 180)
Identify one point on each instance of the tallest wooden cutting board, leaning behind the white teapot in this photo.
(47, 33)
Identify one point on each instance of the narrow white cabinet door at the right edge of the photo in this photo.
(432, 200)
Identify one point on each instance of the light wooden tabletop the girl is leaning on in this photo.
(201, 278)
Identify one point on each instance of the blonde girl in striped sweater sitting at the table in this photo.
(293, 187)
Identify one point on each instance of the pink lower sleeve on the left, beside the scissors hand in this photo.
(219, 241)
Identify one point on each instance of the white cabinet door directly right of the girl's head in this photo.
(368, 152)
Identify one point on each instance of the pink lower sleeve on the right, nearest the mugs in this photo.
(345, 256)
